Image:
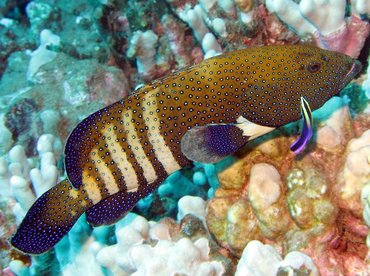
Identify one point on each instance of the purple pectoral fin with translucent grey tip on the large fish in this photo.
(212, 143)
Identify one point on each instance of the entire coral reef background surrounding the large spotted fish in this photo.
(263, 211)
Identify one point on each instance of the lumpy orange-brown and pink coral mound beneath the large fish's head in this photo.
(310, 203)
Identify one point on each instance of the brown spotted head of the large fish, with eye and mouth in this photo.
(289, 73)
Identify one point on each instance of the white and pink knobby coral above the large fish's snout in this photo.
(326, 21)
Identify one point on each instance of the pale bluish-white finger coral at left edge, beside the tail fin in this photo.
(23, 179)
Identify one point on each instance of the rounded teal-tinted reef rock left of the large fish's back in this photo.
(73, 84)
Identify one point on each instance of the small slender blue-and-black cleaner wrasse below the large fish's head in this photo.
(299, 145)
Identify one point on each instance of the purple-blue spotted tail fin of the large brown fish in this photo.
(50, 218)
